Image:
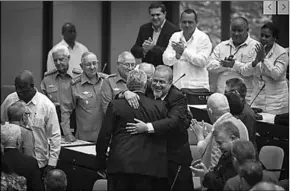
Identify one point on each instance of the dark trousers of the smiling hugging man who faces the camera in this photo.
(179, 177)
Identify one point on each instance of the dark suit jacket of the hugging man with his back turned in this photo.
(139, 154)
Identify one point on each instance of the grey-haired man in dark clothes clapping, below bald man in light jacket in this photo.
(225, 134)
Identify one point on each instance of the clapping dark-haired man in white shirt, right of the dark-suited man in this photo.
(188, 52)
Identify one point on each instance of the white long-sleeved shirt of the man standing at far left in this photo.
(44, 124)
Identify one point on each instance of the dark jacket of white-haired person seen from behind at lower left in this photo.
(24, 166)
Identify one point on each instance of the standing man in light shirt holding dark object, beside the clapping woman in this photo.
(229, 56)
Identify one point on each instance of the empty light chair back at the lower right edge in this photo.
(272, 158)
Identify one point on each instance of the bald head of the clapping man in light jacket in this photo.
(217, 105)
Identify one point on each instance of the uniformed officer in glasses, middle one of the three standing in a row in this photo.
(86, 99)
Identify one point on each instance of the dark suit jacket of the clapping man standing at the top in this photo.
(154, 56)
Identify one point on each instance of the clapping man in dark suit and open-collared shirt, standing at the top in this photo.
(153, 37)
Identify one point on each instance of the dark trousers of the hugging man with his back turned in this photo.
(135, 182)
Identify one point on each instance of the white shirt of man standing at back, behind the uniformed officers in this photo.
(75, 55)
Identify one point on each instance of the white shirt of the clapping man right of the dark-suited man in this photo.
(192, 62)
